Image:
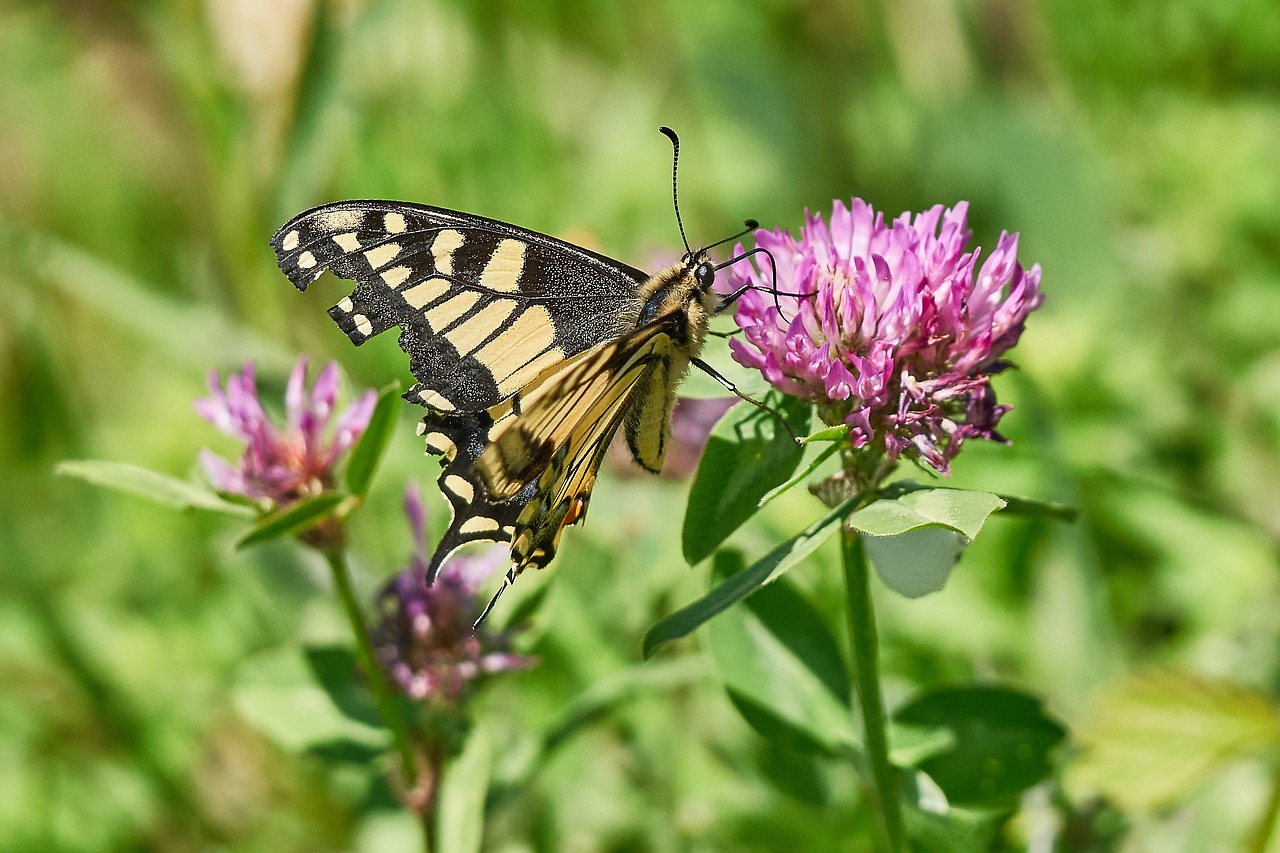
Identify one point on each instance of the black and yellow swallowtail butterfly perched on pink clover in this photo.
(531, 354)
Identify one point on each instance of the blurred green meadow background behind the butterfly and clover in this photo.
(148, 150)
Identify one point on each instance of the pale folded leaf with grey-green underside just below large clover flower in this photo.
(916, 541)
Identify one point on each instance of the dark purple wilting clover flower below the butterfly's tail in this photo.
(426, 640)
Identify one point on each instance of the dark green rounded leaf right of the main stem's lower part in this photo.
(1002, 741)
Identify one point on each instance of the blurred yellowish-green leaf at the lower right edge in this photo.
(1160, 735)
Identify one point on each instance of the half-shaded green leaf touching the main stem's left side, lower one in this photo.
(784, 670)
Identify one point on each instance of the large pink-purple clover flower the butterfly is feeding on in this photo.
(894, 331)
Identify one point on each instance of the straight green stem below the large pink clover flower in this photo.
(862, 624)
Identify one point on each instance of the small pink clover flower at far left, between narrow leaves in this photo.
(282, 464)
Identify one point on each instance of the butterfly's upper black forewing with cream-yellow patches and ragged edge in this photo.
(483, 307)
